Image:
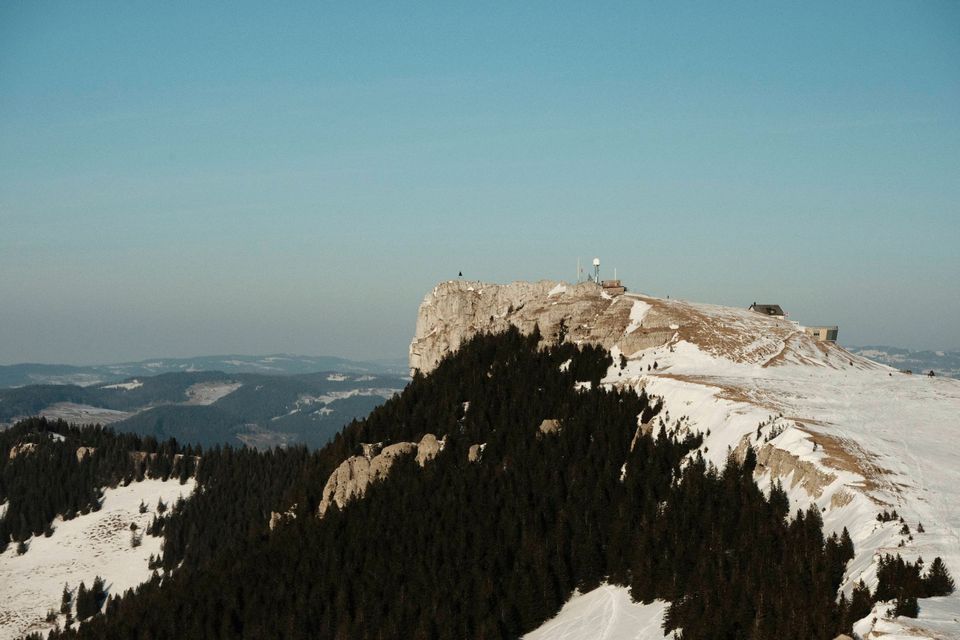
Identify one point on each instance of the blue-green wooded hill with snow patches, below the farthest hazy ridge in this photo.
(213, 407)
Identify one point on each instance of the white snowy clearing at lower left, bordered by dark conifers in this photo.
(79, 550)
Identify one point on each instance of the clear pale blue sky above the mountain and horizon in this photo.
(195, 178)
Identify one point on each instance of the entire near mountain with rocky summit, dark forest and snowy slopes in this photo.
(566, 461)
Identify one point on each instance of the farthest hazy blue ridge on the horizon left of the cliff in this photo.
(18, 375)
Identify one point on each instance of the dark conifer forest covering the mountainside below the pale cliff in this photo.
(490, 548)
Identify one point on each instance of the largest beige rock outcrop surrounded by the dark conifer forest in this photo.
(351, 479)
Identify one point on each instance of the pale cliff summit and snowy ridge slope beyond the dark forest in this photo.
(851, 435)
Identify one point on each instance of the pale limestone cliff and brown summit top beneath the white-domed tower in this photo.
(455, 311)
